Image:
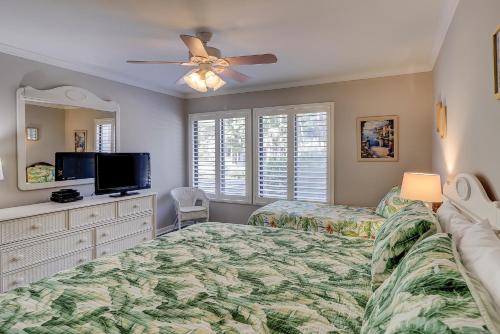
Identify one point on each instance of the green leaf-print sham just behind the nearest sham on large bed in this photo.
(396, 237)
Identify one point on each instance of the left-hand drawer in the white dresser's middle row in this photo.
(13, 259)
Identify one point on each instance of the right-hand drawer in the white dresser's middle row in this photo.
(115, 231)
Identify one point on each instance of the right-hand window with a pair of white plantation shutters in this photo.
(292, 153)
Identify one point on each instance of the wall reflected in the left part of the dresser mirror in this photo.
(50, 124)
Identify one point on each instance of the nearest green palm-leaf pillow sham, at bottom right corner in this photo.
(430, 292)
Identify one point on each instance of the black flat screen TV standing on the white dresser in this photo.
(122, 173)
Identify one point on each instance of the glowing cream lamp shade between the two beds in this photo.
(422, 187)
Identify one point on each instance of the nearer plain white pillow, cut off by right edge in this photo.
(480, 251)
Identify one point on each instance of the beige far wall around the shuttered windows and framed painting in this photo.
(356, 183)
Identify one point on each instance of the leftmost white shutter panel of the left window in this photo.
(203, 158)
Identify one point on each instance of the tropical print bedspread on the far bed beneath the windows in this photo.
(319, 217)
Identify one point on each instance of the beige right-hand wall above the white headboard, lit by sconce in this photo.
(463, 79)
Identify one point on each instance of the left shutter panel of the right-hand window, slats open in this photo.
(272, 174)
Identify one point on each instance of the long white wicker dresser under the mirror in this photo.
(41, 239)
